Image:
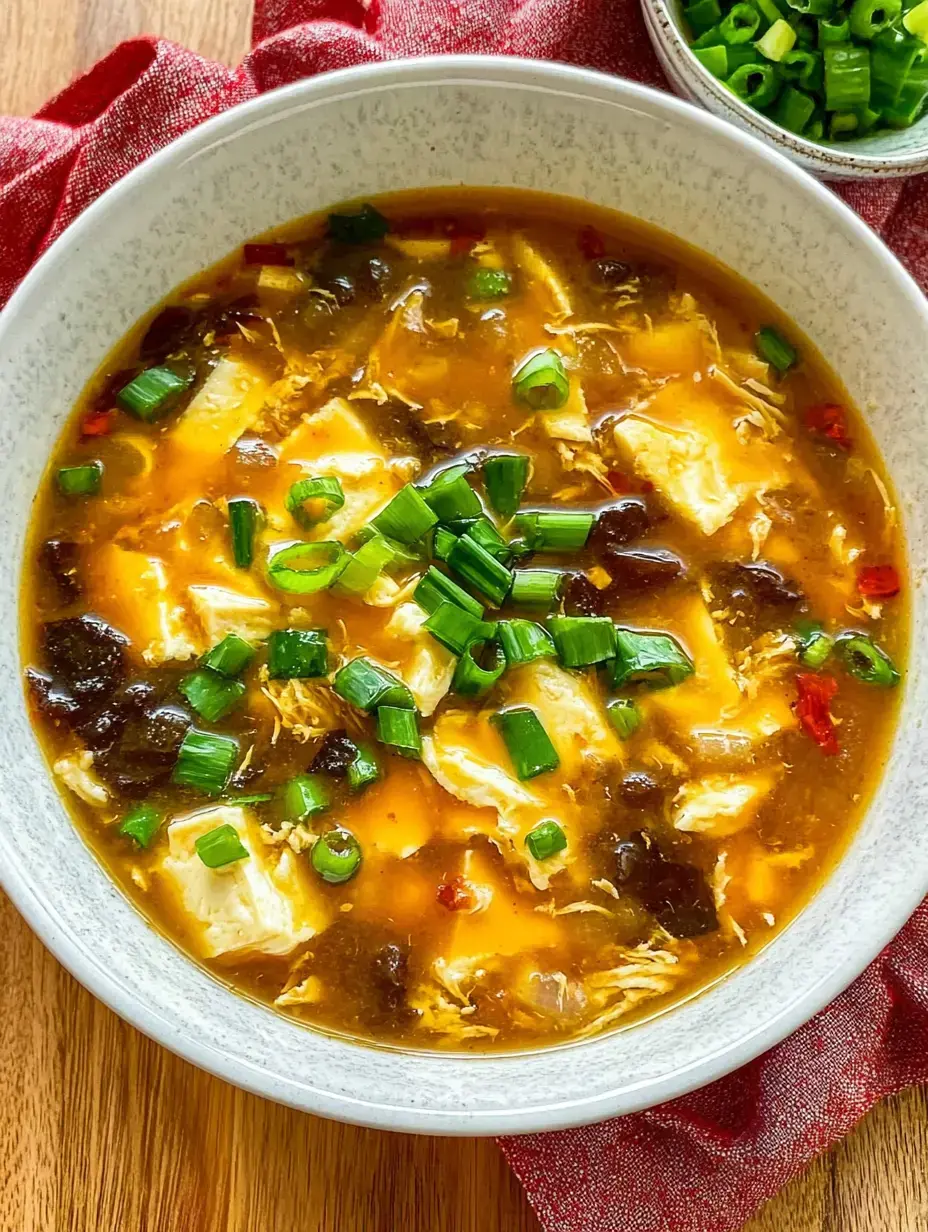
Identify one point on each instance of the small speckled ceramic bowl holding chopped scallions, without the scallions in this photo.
(869, 158)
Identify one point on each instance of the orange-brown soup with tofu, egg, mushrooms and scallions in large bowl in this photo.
(466, 623)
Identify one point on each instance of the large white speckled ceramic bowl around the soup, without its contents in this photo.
(476, 121)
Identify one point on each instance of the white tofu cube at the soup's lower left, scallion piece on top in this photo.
(259, 906)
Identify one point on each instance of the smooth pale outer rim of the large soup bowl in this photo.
(94, 975)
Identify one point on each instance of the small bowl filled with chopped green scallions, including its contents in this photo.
(841, 87)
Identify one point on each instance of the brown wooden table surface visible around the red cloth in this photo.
(103, 1130)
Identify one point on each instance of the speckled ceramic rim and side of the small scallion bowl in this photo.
(665, 31)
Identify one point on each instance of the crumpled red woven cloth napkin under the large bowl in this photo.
(707, 1162)
